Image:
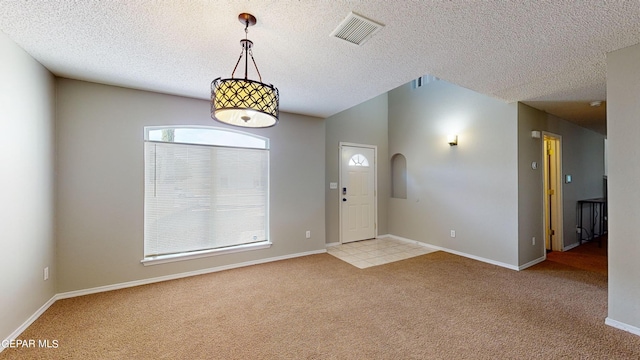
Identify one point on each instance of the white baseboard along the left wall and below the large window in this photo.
(14, 335)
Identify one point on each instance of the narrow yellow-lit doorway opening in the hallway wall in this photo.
(553, 219)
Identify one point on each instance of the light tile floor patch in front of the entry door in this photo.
(367, 253)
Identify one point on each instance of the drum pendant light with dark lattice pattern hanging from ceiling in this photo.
(240, 101)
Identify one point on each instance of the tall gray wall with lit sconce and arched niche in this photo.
(470, 188)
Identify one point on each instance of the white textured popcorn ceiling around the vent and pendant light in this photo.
(536, 51)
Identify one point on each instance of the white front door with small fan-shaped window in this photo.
(357, 193)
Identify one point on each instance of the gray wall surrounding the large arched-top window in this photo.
(100, 183)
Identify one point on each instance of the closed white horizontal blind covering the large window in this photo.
(201, 197)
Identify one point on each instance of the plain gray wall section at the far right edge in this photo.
(623, 127)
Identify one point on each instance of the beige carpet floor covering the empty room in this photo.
(434, 306)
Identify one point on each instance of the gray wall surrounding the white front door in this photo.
(363, 124)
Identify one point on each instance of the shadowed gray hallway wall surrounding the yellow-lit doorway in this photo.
(582, 158)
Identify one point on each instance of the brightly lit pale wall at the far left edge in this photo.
(27, 98)
